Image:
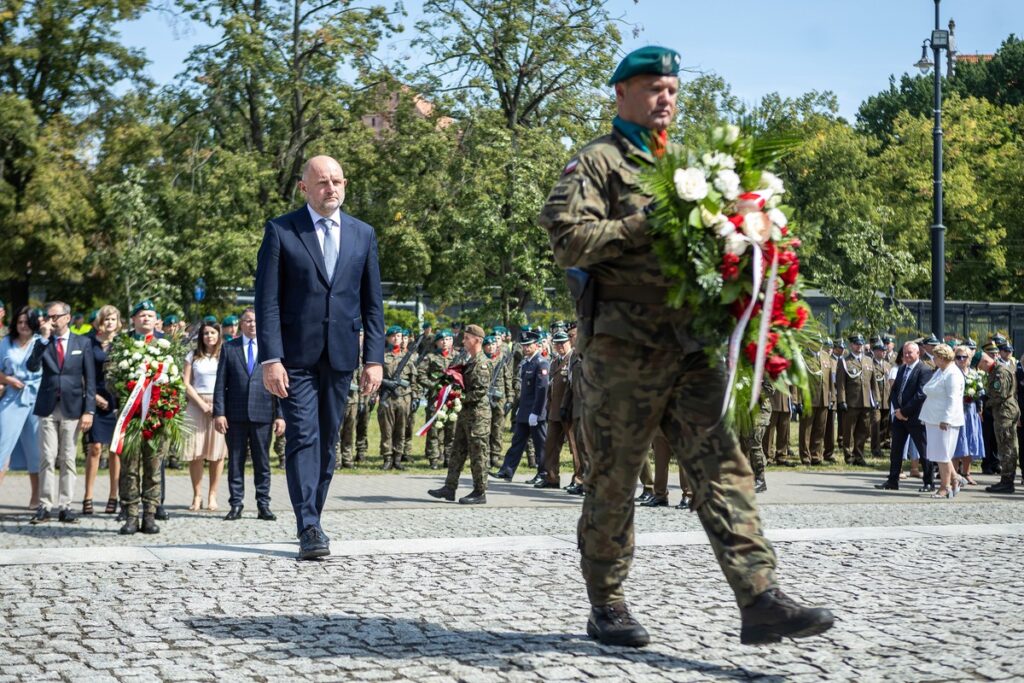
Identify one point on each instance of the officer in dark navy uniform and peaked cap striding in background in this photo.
(532, 417)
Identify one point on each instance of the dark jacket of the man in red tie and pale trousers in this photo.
(76, 382)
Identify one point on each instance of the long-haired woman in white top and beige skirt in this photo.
(204, 444)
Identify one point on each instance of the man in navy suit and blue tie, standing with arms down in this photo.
(245, 412)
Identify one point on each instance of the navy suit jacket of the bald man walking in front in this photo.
(301, 314)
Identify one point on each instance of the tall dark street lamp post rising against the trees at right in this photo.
(941, 40)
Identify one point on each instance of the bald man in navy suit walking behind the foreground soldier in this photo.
(318, 282)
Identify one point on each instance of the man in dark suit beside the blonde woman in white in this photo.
(907, 400)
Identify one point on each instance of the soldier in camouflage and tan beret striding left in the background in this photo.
(474, 426)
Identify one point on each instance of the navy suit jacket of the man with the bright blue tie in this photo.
(239, 396)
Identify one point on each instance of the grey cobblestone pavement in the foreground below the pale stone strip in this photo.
(513, 617)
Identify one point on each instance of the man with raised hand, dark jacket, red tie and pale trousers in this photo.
(66, 404)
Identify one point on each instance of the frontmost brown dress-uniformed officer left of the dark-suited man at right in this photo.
(855, 397)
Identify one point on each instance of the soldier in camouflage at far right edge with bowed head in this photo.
(1001, 391)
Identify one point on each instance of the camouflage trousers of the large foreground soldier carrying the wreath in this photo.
(630, 392)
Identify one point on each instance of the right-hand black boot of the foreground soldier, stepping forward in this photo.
(776, 615)
